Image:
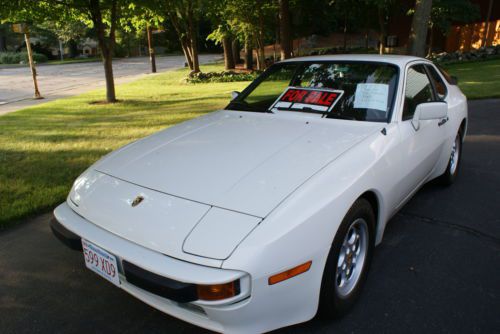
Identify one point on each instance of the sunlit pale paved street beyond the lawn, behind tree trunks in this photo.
(56, 81)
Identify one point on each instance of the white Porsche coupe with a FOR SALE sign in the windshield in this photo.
(265, 213)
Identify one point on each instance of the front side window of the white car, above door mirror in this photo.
(418, 90)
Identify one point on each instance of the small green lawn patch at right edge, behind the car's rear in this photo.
(478, 80)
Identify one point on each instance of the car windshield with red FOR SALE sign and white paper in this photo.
(362, 91)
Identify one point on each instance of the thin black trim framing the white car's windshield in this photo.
(300, 63)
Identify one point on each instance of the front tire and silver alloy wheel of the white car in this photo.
(340, 289)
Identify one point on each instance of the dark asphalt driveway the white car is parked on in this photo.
(437, 270)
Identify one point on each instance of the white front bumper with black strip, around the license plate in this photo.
(69, 227)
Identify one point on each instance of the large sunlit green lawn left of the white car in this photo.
(44, 148)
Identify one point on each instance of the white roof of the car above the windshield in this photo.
(400, 60)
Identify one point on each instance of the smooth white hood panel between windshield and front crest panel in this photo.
(241, 161)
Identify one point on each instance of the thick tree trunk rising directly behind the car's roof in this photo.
(419, 28)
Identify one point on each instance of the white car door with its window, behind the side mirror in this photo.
(419, 148)
